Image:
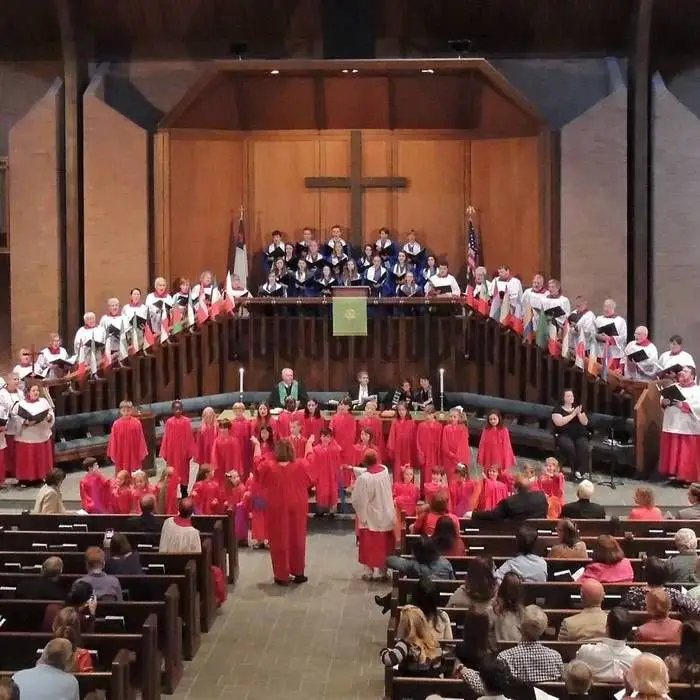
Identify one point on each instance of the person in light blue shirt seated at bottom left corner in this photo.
(52, 677)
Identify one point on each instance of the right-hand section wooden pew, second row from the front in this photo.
(504, 545)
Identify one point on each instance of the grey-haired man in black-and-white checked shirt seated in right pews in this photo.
(531, 661)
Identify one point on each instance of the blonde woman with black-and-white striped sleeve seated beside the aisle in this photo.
(417, 651)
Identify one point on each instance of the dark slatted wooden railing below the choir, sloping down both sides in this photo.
(405, 338)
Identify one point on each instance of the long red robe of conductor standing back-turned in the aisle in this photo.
(286, 487)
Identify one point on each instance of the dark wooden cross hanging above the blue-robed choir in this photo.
(357, 185)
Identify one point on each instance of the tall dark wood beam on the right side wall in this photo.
(639, 154)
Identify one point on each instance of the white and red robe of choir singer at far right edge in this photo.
(680, 438)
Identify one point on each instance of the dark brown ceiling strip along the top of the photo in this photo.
(118, 29)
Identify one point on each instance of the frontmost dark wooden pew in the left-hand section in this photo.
(224, 545)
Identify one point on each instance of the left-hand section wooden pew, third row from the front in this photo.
(158, 585)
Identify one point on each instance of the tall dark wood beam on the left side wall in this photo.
(75, 81)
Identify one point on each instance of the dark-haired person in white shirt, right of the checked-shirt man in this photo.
(610, 658)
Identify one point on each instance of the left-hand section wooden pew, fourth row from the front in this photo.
(28, 614)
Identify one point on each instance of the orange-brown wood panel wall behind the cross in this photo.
(212, 172)
